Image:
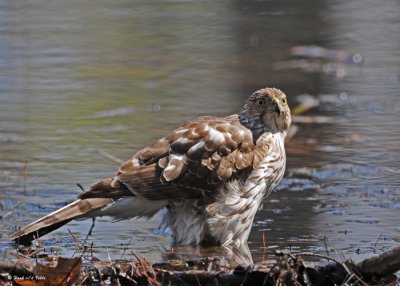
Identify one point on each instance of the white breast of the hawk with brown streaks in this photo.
(231, 216)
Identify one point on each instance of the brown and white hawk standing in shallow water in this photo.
(210, 174)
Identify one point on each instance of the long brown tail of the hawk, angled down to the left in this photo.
(56, 219)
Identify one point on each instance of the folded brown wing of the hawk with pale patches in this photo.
(192, 160)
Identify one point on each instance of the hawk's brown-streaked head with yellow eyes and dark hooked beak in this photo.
(269, 107)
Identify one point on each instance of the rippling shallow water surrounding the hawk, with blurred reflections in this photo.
(81, 81)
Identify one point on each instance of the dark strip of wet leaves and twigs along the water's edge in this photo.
(287, 269)
